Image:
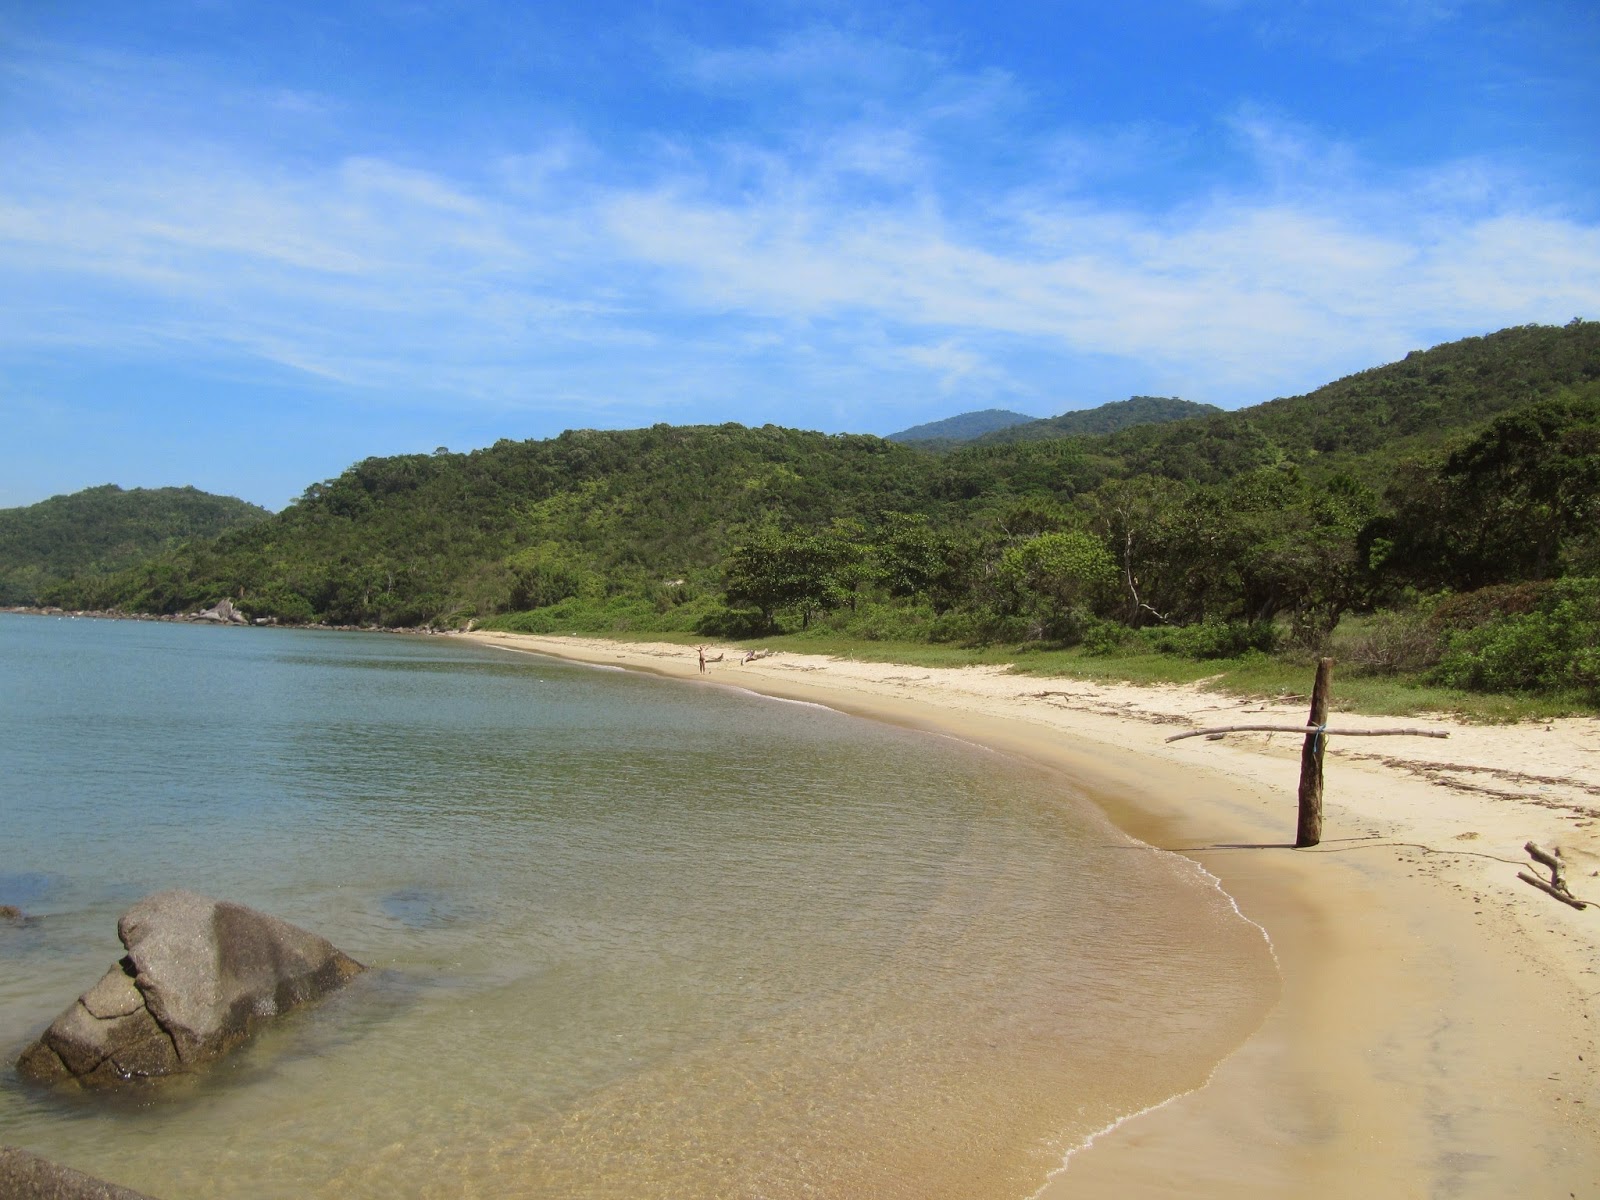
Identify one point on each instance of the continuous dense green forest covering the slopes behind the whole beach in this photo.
(1450, 502)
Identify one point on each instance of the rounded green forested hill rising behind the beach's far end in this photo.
(522, 524)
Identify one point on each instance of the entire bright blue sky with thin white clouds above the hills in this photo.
(246, 246)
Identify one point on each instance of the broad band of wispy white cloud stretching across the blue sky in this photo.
(847, 252)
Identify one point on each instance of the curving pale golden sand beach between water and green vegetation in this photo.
(1436, 1033)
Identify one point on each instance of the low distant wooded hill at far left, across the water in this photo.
(105, 530)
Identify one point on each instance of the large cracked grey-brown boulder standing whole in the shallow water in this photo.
(199, 978)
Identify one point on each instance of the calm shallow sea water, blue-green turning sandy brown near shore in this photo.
(628, 937)
